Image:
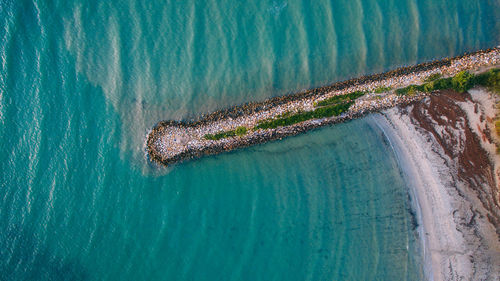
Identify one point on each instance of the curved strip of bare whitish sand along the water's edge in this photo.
(450, 252)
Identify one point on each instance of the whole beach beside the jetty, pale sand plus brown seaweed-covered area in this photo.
(447, 153)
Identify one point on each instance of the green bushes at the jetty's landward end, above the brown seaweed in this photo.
(461, 82)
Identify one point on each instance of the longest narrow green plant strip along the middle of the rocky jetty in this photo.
(301, 116)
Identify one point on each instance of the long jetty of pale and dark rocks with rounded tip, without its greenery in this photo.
(170, 142)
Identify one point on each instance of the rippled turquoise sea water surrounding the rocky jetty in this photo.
(81, 83)
